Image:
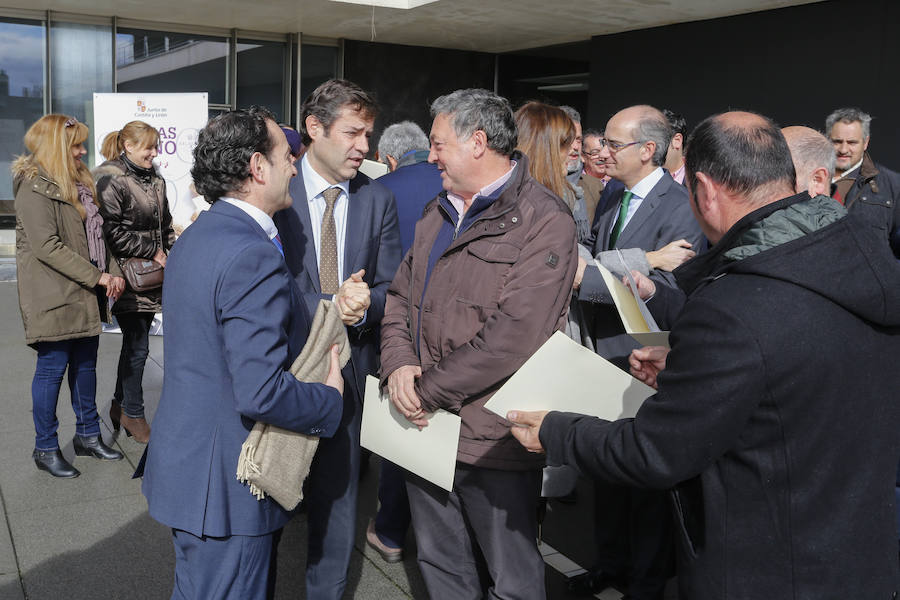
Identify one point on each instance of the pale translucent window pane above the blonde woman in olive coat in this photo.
(80, 64)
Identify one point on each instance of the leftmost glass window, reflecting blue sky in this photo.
(22, 61)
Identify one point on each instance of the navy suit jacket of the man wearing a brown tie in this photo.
(372, 242)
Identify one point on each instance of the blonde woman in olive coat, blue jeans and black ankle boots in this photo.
(66, 280)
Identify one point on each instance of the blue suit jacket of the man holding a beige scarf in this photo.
(234, 324)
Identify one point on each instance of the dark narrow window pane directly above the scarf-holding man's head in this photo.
(260, 78)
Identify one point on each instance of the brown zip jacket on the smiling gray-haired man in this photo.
(498, 292)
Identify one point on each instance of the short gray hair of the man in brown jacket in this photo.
(477, 109)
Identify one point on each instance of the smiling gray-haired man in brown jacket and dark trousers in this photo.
(485, 283)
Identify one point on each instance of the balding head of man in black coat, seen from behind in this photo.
(736, 162)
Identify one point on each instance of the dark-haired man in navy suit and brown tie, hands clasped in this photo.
(341, 243)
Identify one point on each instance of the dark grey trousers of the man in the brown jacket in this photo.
(480, 540)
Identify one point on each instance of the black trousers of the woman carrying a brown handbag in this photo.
(132, 358)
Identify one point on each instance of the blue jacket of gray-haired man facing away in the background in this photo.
(413, 187)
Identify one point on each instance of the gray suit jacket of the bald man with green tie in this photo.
(663, 216)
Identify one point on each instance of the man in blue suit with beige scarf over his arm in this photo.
(235, 323)
